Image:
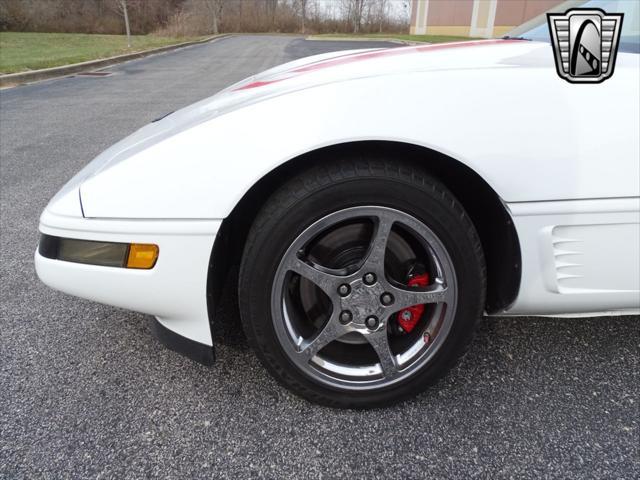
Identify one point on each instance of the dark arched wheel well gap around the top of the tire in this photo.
(486, 210)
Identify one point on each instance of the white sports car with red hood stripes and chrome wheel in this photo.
(376, 202)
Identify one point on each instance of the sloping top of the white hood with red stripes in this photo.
(313, 71)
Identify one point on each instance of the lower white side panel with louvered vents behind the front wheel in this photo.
(578, 256)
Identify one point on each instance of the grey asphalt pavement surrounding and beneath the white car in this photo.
(86, 391)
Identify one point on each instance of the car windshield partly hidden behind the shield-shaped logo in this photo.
(536, 29)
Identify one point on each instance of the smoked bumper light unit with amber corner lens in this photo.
(106, 254)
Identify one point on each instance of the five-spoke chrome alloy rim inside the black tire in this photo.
(339, 288)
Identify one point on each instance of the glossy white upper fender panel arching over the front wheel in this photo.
(509, 115)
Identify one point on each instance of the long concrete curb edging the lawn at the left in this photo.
(15, 79)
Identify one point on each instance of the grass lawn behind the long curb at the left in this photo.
(30, 51)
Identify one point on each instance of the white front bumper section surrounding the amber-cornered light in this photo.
(174, 290)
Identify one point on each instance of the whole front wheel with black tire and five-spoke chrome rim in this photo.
(361, 284)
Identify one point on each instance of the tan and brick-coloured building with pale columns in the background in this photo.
(473, 18)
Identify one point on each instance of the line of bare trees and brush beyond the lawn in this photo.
(202, 17)
